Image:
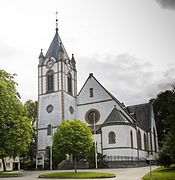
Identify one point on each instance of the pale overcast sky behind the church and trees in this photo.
(129, 45)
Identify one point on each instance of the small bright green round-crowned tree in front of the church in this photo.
(73, 137)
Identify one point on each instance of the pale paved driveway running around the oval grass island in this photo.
(121, 174)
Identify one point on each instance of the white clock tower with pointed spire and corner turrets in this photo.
(57, 90)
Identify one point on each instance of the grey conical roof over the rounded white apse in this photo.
(116, 116)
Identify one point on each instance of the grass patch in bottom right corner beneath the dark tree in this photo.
(161, 173)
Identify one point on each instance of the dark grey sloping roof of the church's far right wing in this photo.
(142, 114)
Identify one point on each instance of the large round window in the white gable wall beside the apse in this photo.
(92, 116)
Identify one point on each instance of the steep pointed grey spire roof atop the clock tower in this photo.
(54, 48)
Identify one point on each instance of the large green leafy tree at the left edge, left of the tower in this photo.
(15, 127)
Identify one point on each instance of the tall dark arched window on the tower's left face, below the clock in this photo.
(50, 81)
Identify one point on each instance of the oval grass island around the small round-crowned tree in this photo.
(78, 175)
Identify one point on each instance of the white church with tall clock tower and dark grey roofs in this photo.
(123, 134)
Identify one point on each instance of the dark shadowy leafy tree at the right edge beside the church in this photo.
(164, 109)
